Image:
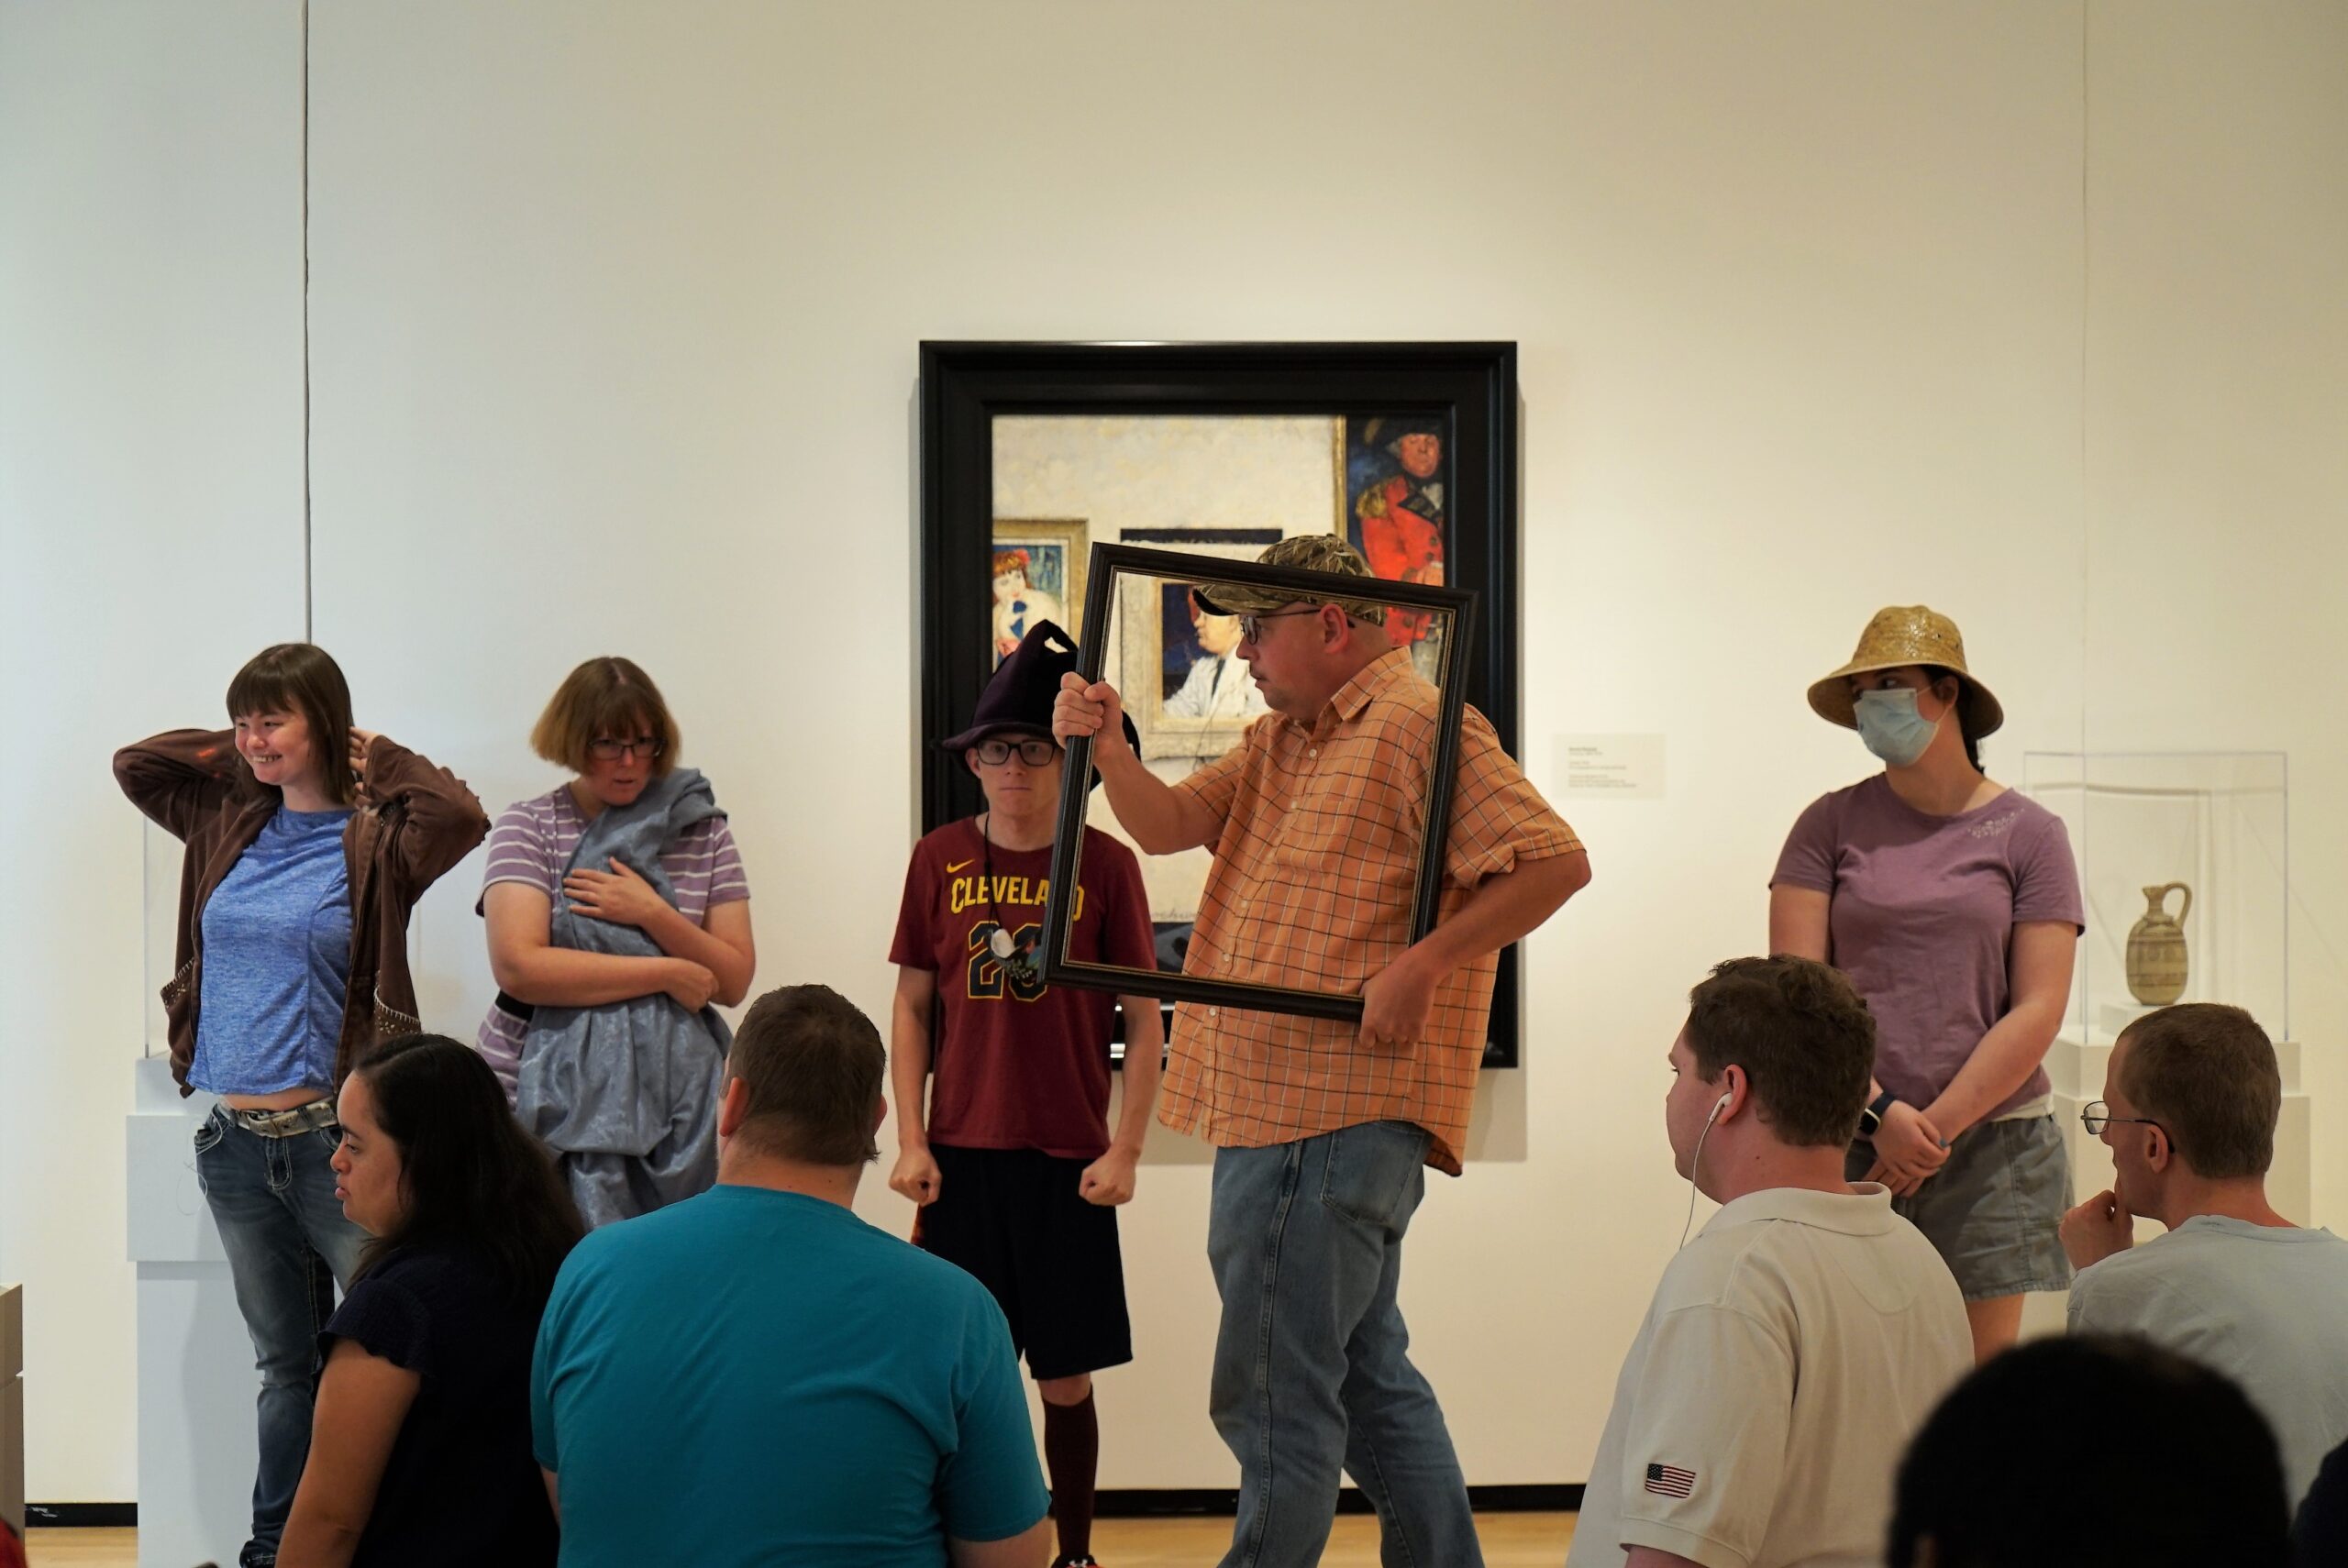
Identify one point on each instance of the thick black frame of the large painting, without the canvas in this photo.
(966, 386)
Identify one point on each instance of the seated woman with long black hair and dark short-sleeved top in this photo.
(421, 1449)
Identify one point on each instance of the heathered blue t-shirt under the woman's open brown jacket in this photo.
(276, 961)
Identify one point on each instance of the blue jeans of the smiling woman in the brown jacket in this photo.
(288, 1250)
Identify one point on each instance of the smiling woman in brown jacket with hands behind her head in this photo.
(309, 844)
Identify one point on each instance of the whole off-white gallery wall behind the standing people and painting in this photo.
(2027, 311)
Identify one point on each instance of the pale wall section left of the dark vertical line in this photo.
(149, 541)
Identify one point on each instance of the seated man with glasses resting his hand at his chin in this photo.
(2190, 1114)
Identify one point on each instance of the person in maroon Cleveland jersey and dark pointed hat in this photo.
(1013, 1163)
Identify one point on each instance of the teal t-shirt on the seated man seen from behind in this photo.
(762, 1379)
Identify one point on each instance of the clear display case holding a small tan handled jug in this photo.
(2182, 860)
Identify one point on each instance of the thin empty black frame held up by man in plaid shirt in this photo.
(1112, 562)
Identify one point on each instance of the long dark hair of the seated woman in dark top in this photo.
(473, 1180)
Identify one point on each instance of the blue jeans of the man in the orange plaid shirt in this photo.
(1311, 1367)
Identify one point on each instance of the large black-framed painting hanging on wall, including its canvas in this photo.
(1037, 452)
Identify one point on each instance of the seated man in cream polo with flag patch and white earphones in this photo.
(1804, 1334)
